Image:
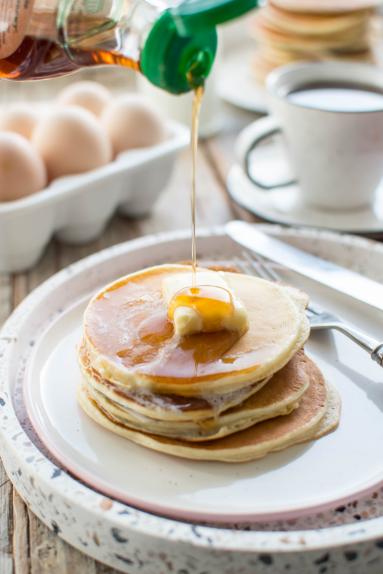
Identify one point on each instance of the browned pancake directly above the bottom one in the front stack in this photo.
(278, 397)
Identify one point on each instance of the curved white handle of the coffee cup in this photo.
(248, 140)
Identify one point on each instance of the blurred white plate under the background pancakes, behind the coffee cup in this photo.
(237, 84)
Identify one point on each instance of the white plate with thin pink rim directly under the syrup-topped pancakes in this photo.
(304, 478)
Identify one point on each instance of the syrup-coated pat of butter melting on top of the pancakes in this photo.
(207, 307)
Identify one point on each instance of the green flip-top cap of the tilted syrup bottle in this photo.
(180, 49)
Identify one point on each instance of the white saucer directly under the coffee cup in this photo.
(282, 205)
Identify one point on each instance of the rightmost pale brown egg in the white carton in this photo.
(132, 122)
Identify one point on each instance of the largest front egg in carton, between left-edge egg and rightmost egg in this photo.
(70, 141)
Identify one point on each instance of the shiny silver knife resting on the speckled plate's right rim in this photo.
(338, 278)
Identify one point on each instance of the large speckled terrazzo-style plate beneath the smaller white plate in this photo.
(347, 539)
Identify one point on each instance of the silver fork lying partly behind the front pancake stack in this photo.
(319, 318)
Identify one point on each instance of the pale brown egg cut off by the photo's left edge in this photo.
(22, 171)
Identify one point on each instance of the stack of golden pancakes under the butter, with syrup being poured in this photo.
(209, 396)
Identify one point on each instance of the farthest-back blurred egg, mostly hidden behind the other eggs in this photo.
(89, 95)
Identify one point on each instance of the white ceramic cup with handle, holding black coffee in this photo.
(336, 156)
